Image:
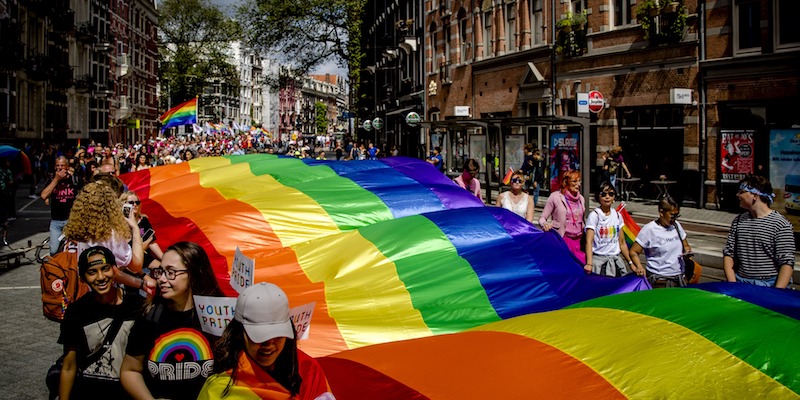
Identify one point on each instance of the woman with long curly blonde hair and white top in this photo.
(96, 219)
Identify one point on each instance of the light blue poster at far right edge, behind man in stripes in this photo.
(784, 173)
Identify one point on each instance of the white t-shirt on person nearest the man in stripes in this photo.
(662, 247)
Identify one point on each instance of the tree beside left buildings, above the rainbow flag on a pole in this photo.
(194, 47)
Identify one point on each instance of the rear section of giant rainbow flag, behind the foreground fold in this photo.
(388, 250)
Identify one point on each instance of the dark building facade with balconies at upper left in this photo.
(67, 58)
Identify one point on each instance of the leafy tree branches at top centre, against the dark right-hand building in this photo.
(306, 34)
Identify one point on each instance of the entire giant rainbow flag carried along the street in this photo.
(421, 292)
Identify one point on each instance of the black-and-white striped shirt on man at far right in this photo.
(760, 246)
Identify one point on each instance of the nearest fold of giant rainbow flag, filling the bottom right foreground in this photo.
(711, 341)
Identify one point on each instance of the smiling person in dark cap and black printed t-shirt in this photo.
(88, 322)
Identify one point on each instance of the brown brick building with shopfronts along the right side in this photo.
(671, 80)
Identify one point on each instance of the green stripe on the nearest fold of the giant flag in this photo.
(749, 323)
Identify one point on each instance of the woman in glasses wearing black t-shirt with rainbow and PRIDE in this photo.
(168, 355)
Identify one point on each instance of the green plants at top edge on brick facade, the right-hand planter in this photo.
(662, 21)
